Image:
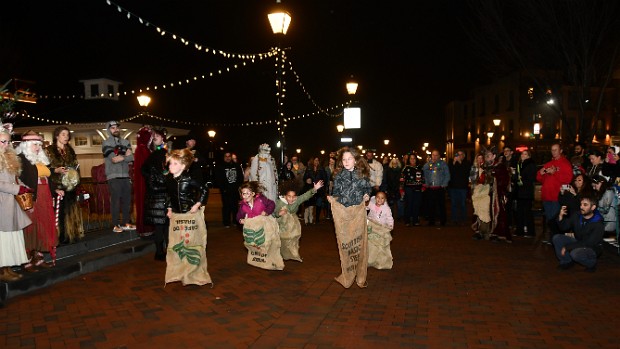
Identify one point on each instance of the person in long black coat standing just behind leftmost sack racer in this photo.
(154, 173)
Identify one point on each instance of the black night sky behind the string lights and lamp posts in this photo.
(410, 60)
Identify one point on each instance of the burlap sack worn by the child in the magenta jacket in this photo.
(262, 239)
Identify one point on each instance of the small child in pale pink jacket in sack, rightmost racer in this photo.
(380, 224)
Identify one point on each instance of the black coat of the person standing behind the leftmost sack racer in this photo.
(153, 171)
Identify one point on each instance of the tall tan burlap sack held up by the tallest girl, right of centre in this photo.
(352, 237)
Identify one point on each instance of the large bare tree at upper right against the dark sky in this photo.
(577, 38)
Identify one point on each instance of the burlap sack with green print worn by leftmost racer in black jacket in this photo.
(186, 258)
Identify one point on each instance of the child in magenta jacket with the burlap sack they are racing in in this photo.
(261, 235)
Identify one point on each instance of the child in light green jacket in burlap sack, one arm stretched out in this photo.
(286, 214)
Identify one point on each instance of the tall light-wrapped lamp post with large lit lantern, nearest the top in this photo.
(280, 21)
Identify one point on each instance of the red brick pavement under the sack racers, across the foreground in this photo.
(445, 291)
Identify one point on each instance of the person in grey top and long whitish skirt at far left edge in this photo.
(14, 219)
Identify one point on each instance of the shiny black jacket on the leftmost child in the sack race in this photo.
(184, 192)
